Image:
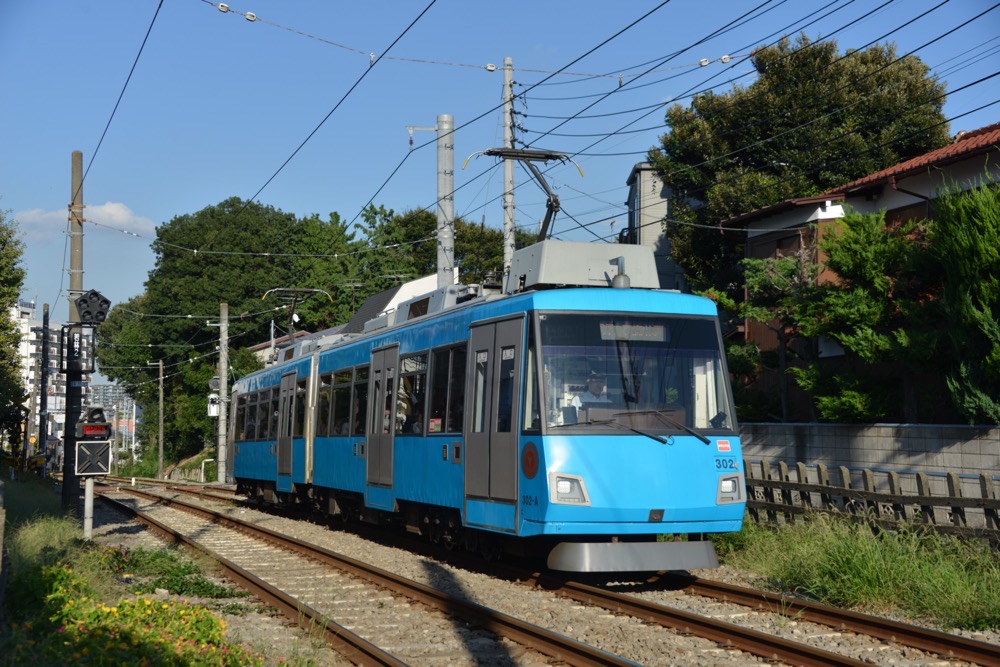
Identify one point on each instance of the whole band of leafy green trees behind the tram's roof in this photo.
(235, 253)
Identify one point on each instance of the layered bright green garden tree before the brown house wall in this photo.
(879, 312)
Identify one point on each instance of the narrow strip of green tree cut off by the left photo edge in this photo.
(11, 281)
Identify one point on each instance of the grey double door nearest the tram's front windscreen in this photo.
(492, 397)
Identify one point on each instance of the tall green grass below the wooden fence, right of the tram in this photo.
(953, 582)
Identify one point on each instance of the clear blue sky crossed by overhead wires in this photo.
(217, 103)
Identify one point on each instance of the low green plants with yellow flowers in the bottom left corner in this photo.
(75, 602)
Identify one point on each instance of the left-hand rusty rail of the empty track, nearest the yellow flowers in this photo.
(350, 645)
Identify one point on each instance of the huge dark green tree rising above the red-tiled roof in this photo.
(813, 119)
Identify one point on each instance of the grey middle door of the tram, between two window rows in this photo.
(382, 417)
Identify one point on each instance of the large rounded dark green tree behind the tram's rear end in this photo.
(233, 253)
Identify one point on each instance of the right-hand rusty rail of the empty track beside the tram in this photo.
(544, 641)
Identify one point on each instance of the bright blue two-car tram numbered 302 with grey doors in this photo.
(582, 413)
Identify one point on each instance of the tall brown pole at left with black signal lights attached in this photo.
(74, 360)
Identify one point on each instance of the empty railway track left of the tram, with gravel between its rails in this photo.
(284, 572)
